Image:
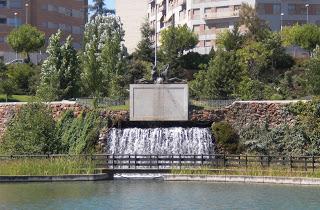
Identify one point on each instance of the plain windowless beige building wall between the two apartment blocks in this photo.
(132, 14)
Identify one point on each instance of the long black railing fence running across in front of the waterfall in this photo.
(304, 163)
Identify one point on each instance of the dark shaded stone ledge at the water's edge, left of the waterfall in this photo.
(62, 178)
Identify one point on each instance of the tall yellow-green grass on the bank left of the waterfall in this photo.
(46, 167)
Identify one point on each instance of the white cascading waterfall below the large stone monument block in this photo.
(161, 141)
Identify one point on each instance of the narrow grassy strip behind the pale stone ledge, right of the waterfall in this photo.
(250, 171)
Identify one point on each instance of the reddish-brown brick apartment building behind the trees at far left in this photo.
(47, 15)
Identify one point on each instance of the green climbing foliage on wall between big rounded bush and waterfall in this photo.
(79, 135)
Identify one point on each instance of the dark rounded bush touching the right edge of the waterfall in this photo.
(226, 137)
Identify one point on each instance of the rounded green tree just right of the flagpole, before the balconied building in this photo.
(174, 42)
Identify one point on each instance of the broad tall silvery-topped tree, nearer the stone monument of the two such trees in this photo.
(103, 57)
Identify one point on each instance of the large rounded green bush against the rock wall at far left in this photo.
(31, 131)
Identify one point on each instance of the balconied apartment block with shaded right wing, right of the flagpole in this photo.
(208, 18)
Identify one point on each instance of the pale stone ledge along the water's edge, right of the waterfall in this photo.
(244, 179)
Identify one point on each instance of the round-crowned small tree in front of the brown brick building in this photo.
(26, 39)
